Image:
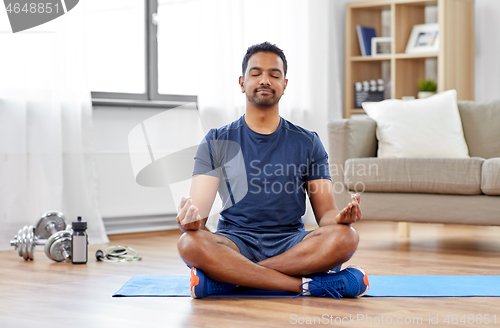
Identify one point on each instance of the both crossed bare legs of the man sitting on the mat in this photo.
(219, 258)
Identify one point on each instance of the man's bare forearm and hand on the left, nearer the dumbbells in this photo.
(194, 209)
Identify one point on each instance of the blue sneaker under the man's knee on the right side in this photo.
(351, 282)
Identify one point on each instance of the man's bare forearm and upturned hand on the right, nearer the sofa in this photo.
(323, 203)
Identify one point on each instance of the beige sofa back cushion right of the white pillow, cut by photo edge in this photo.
(481, 123)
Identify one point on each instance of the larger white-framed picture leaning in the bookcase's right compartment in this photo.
(423, 38)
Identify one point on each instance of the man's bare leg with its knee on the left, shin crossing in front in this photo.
(219, 258)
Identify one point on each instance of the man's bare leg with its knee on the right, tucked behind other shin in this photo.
(319, 251)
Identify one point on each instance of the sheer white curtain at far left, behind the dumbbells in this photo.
(46, 159)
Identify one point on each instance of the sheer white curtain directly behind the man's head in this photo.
(305, 30)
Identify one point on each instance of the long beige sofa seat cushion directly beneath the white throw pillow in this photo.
(461, 176)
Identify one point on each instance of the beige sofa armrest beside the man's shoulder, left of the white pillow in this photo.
(348, 138)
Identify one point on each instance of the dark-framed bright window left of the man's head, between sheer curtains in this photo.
(142, 50)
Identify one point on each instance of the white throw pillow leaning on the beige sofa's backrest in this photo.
(429, 127)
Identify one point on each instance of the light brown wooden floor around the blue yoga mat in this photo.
(43, 293)
